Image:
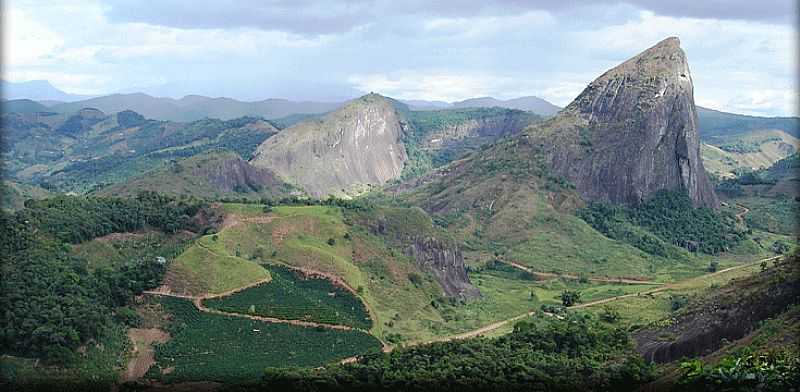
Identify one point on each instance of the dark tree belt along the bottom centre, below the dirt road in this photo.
(578, 353)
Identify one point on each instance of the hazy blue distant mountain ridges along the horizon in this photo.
(40, 95)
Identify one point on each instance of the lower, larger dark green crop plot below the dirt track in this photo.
(208, 347)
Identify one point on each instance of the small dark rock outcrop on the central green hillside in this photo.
(446, 264)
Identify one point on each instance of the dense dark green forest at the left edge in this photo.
(51, 302)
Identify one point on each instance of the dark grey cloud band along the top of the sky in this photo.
(319, 17)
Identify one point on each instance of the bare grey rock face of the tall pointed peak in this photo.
(631, 132)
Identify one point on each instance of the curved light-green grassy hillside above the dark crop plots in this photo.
(298, 236)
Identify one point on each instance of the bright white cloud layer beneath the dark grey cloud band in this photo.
(736, 65)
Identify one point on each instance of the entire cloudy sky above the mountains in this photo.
(742, 53)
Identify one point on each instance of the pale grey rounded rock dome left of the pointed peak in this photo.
(356, 146)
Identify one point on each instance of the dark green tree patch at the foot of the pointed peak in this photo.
(668, 218)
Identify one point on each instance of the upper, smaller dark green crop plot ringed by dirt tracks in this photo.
(292, 297)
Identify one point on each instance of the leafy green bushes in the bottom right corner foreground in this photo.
(771, 372)
